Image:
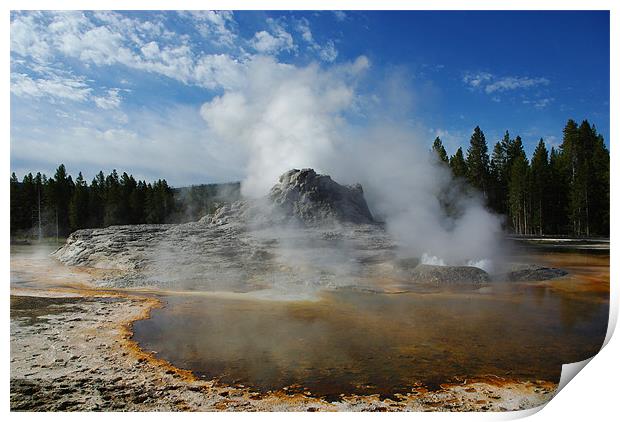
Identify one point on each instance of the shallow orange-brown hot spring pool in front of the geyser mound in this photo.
(356, 342)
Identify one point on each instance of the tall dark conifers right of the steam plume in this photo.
(562, 191)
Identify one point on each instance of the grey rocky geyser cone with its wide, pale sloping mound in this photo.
(308, 234)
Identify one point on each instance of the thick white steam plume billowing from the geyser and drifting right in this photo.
(285, 117)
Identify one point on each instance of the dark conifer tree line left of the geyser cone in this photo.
(44, 206)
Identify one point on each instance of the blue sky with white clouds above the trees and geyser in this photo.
(149, 92)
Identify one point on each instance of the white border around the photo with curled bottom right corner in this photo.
(591, 395)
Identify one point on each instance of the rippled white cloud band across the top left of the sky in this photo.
(108, 38)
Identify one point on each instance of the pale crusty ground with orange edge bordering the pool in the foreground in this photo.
(73, 351)
